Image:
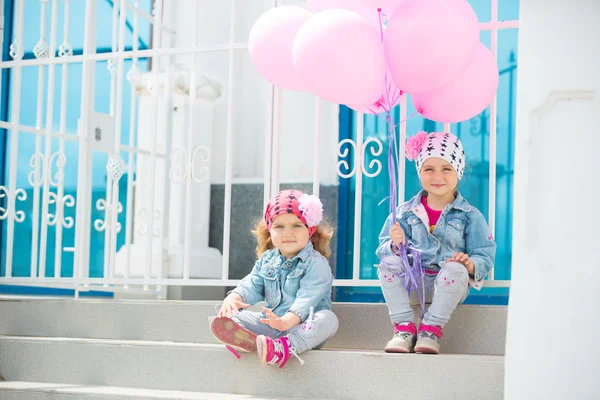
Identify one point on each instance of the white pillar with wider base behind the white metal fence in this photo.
(168, 246)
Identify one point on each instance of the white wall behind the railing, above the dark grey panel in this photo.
(212, 20)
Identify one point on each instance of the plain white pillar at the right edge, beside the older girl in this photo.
(552, 349)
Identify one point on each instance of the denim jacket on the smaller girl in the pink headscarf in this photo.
(293, 285)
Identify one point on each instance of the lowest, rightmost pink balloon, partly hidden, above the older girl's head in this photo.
(467, 95)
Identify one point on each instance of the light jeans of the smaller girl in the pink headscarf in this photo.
(311, 334)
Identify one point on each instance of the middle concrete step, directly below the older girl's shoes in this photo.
(335, 374)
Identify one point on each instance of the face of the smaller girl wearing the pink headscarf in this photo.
(289, 235)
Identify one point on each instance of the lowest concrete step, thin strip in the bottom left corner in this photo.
(58, 391)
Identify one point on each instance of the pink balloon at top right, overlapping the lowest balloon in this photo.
(428, 42)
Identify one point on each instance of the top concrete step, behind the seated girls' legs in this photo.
(472, 329)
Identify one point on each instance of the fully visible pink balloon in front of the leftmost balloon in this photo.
(339, 55)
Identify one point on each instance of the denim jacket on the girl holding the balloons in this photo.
(460, 228)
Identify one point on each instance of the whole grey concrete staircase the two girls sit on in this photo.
(104, 349)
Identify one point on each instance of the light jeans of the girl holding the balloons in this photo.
(445, 291)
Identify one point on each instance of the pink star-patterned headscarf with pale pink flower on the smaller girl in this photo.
(307, 208)
